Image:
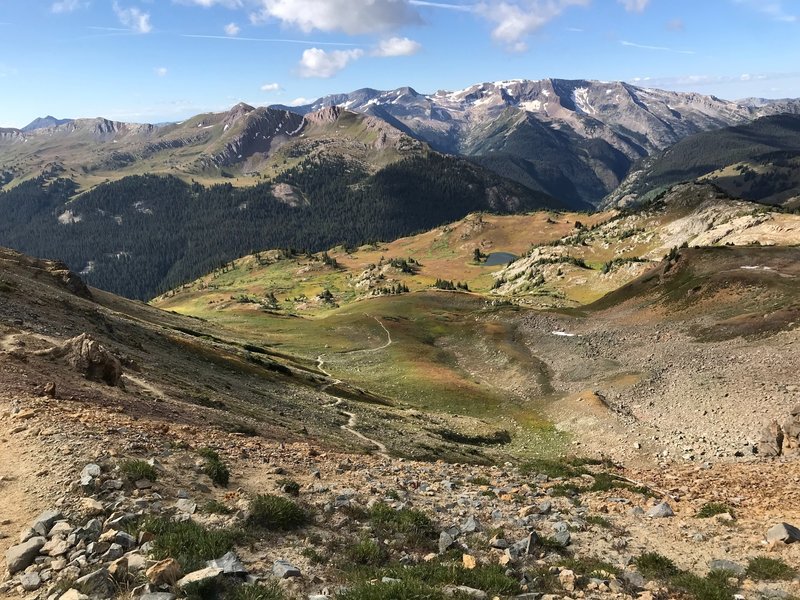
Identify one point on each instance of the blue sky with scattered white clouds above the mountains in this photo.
(162, 60)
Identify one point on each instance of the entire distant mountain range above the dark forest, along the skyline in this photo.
(575, 140)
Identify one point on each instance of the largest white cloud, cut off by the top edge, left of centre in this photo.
(349, 16)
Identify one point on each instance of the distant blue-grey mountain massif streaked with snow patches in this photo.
(574, 139)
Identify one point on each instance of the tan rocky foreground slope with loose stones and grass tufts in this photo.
(107, 504)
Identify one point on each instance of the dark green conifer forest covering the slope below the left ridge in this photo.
(143, 235)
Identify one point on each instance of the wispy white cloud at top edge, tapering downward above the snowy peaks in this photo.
(515, 20)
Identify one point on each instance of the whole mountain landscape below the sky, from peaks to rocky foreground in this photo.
(531, 339)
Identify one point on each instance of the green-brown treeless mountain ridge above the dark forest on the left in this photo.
(244, 142)
